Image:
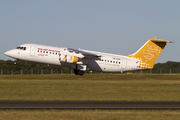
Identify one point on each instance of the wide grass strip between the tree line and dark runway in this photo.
(108, 87)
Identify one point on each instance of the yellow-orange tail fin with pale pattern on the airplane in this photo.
(149, 52)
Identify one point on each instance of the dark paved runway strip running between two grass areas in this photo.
(88, 105)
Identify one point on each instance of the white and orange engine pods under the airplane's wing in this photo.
(68, 58)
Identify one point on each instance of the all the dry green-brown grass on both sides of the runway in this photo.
(106, 87)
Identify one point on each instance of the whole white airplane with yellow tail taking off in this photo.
(82, 60)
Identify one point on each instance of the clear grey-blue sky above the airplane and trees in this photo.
(112, 26)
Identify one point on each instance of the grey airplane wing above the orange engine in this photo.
(84, 53)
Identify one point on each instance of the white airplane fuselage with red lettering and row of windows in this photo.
(51, 55)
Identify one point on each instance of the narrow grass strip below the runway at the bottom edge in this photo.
(89, 115)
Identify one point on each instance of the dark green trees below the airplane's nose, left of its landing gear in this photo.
(23, 67)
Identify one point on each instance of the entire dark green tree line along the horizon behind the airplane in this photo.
(23, 67)
